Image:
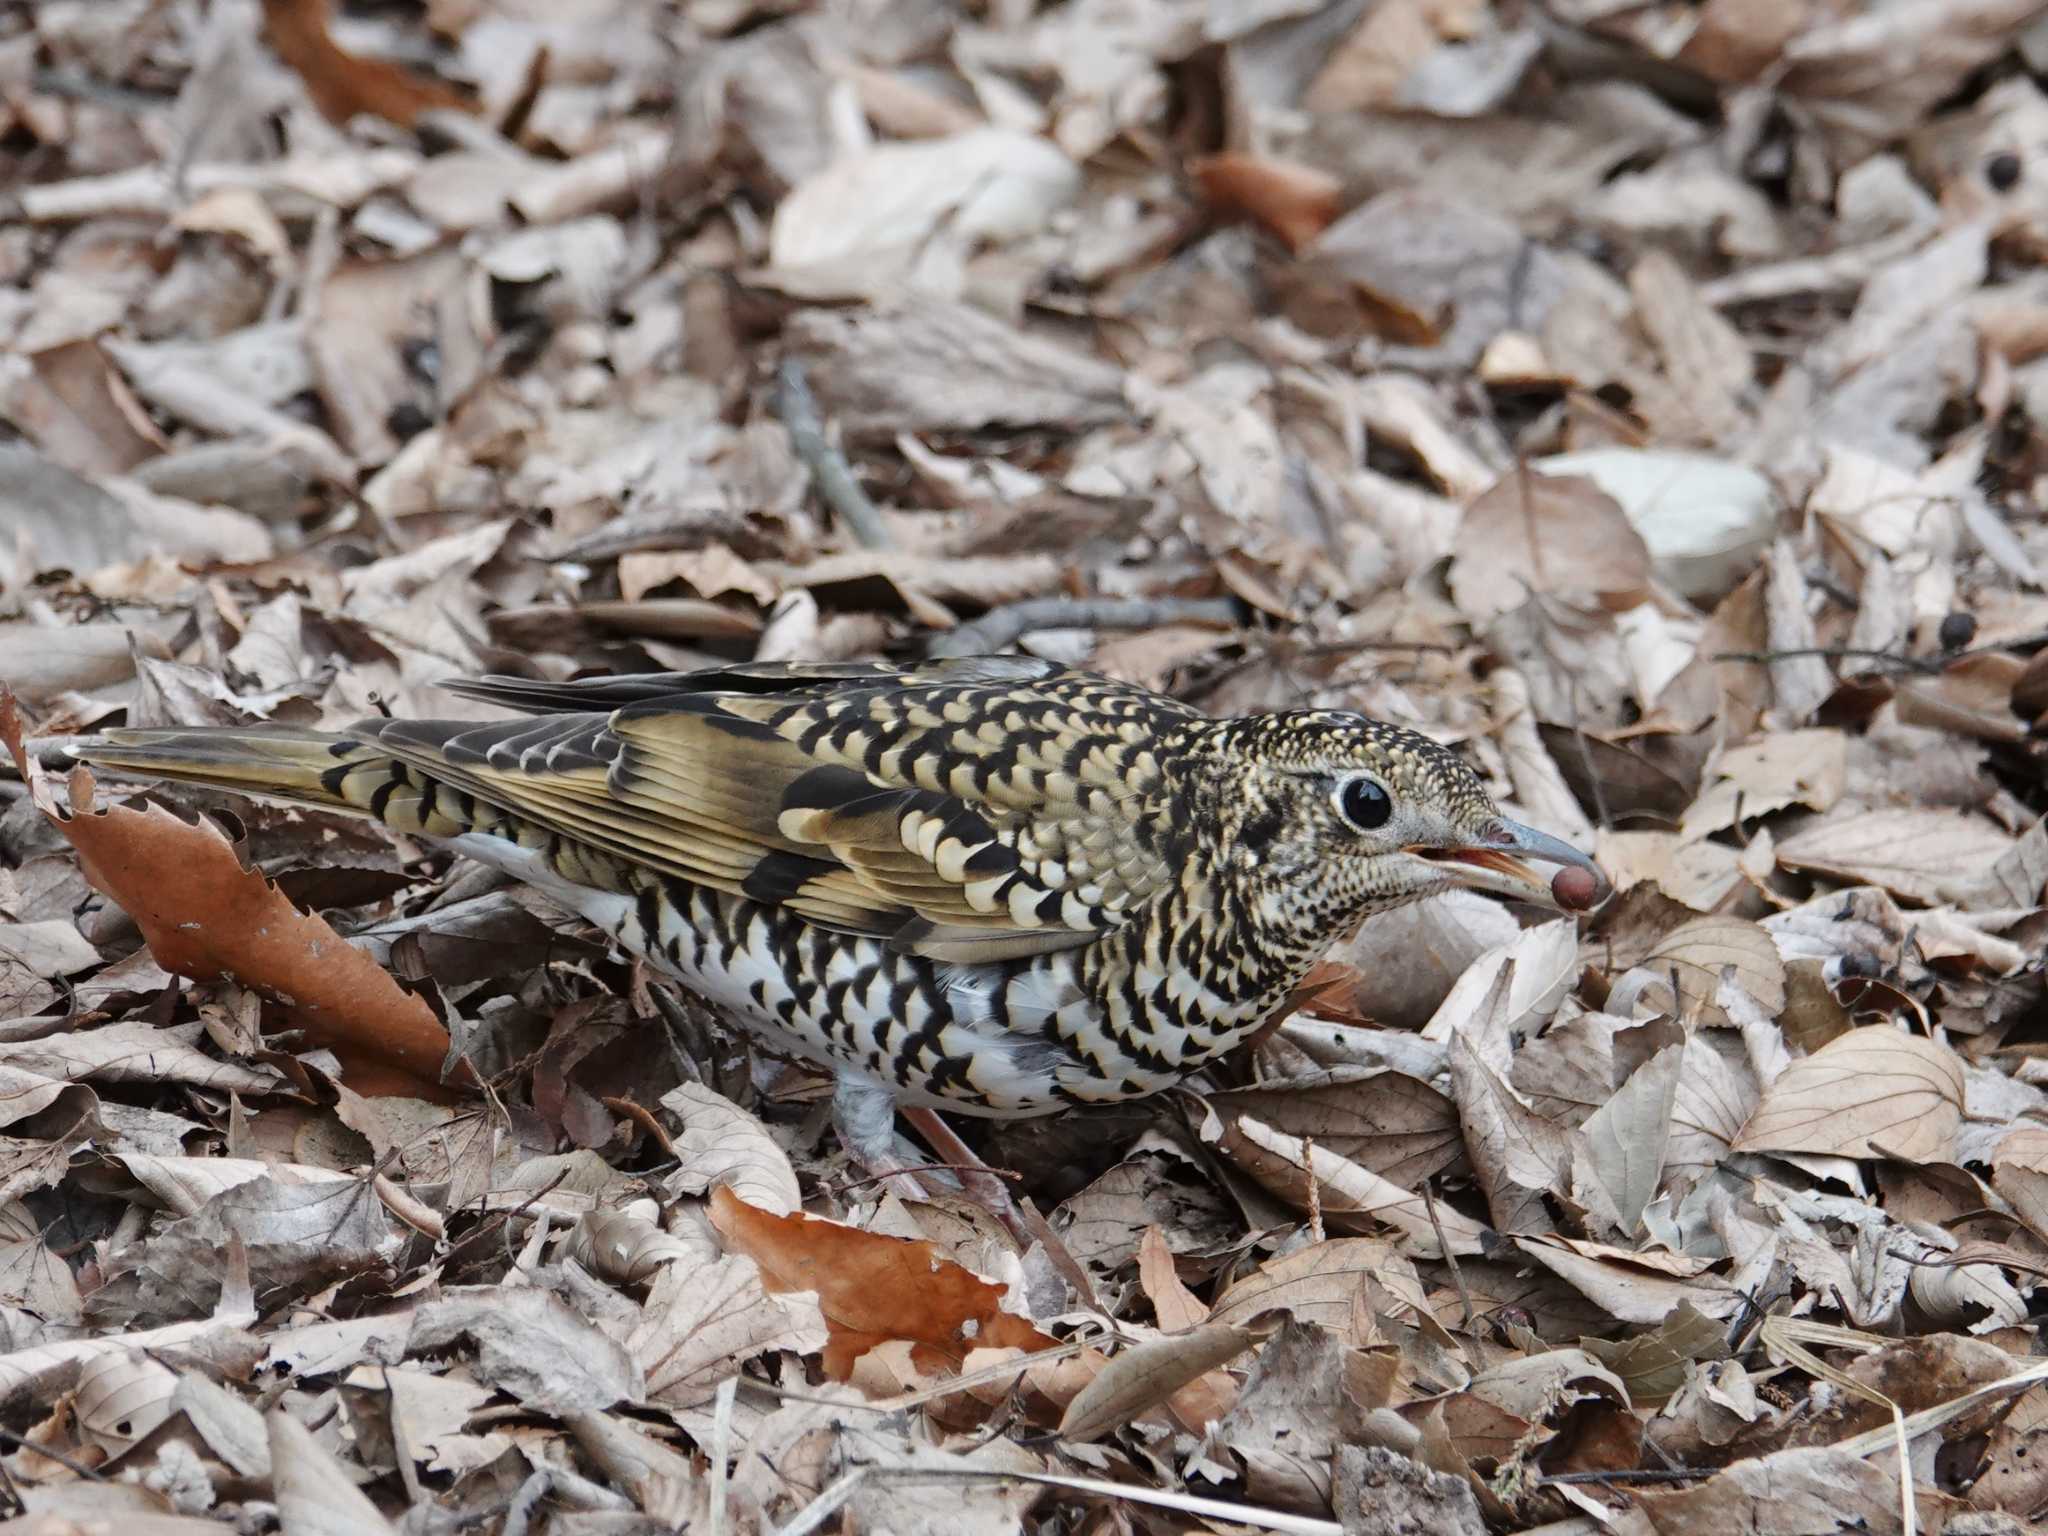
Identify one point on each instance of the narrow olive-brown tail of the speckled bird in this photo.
(335, 771)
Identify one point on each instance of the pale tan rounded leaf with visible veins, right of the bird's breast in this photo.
(1873, 1093)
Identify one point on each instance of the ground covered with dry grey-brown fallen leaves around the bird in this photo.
(1650, 400)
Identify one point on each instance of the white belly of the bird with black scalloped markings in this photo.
(1009, 1039)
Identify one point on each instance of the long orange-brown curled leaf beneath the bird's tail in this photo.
(208, 916)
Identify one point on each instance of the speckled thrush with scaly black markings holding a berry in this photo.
(986, 886)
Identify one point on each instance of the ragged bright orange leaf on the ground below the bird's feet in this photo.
(873, 1287)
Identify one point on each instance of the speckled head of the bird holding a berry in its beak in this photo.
(1338, 816)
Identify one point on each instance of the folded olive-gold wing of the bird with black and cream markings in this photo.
(964, 810)
